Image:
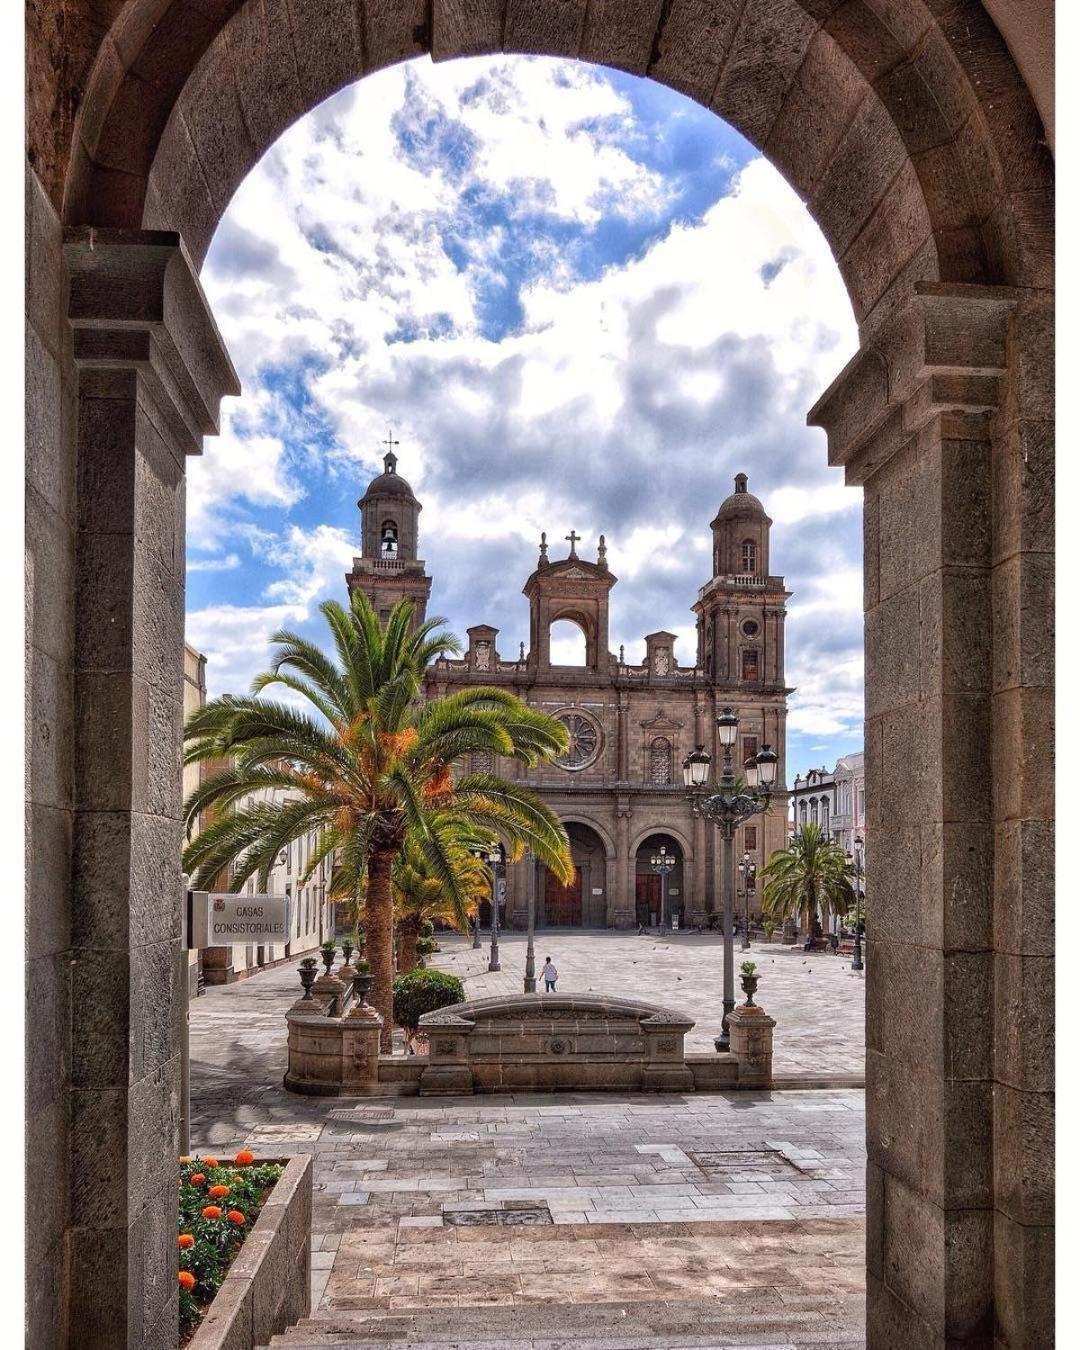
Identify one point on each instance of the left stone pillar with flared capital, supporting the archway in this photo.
(152, 372)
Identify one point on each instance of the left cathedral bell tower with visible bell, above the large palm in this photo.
(388, 569)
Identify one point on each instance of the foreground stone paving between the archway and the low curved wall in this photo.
(676, 1221)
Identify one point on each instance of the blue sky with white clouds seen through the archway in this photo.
(581, 300)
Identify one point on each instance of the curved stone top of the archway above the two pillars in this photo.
(904, 124)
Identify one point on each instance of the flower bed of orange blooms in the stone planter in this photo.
(219, 1204)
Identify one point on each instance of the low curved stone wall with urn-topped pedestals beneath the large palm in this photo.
(533, 1043)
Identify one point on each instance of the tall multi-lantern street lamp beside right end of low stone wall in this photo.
(727, 805)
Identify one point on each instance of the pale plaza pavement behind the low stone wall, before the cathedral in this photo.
(816, 1000)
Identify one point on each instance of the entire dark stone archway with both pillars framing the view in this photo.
(911, 134)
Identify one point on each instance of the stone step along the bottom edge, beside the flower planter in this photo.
(755, 1318)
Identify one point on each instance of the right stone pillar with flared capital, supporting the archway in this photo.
(912, 421)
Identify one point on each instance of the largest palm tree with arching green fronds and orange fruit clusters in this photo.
(367, 765)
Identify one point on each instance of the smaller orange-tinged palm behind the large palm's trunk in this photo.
(421, 894)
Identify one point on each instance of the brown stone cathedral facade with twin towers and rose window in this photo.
(619, 789)
